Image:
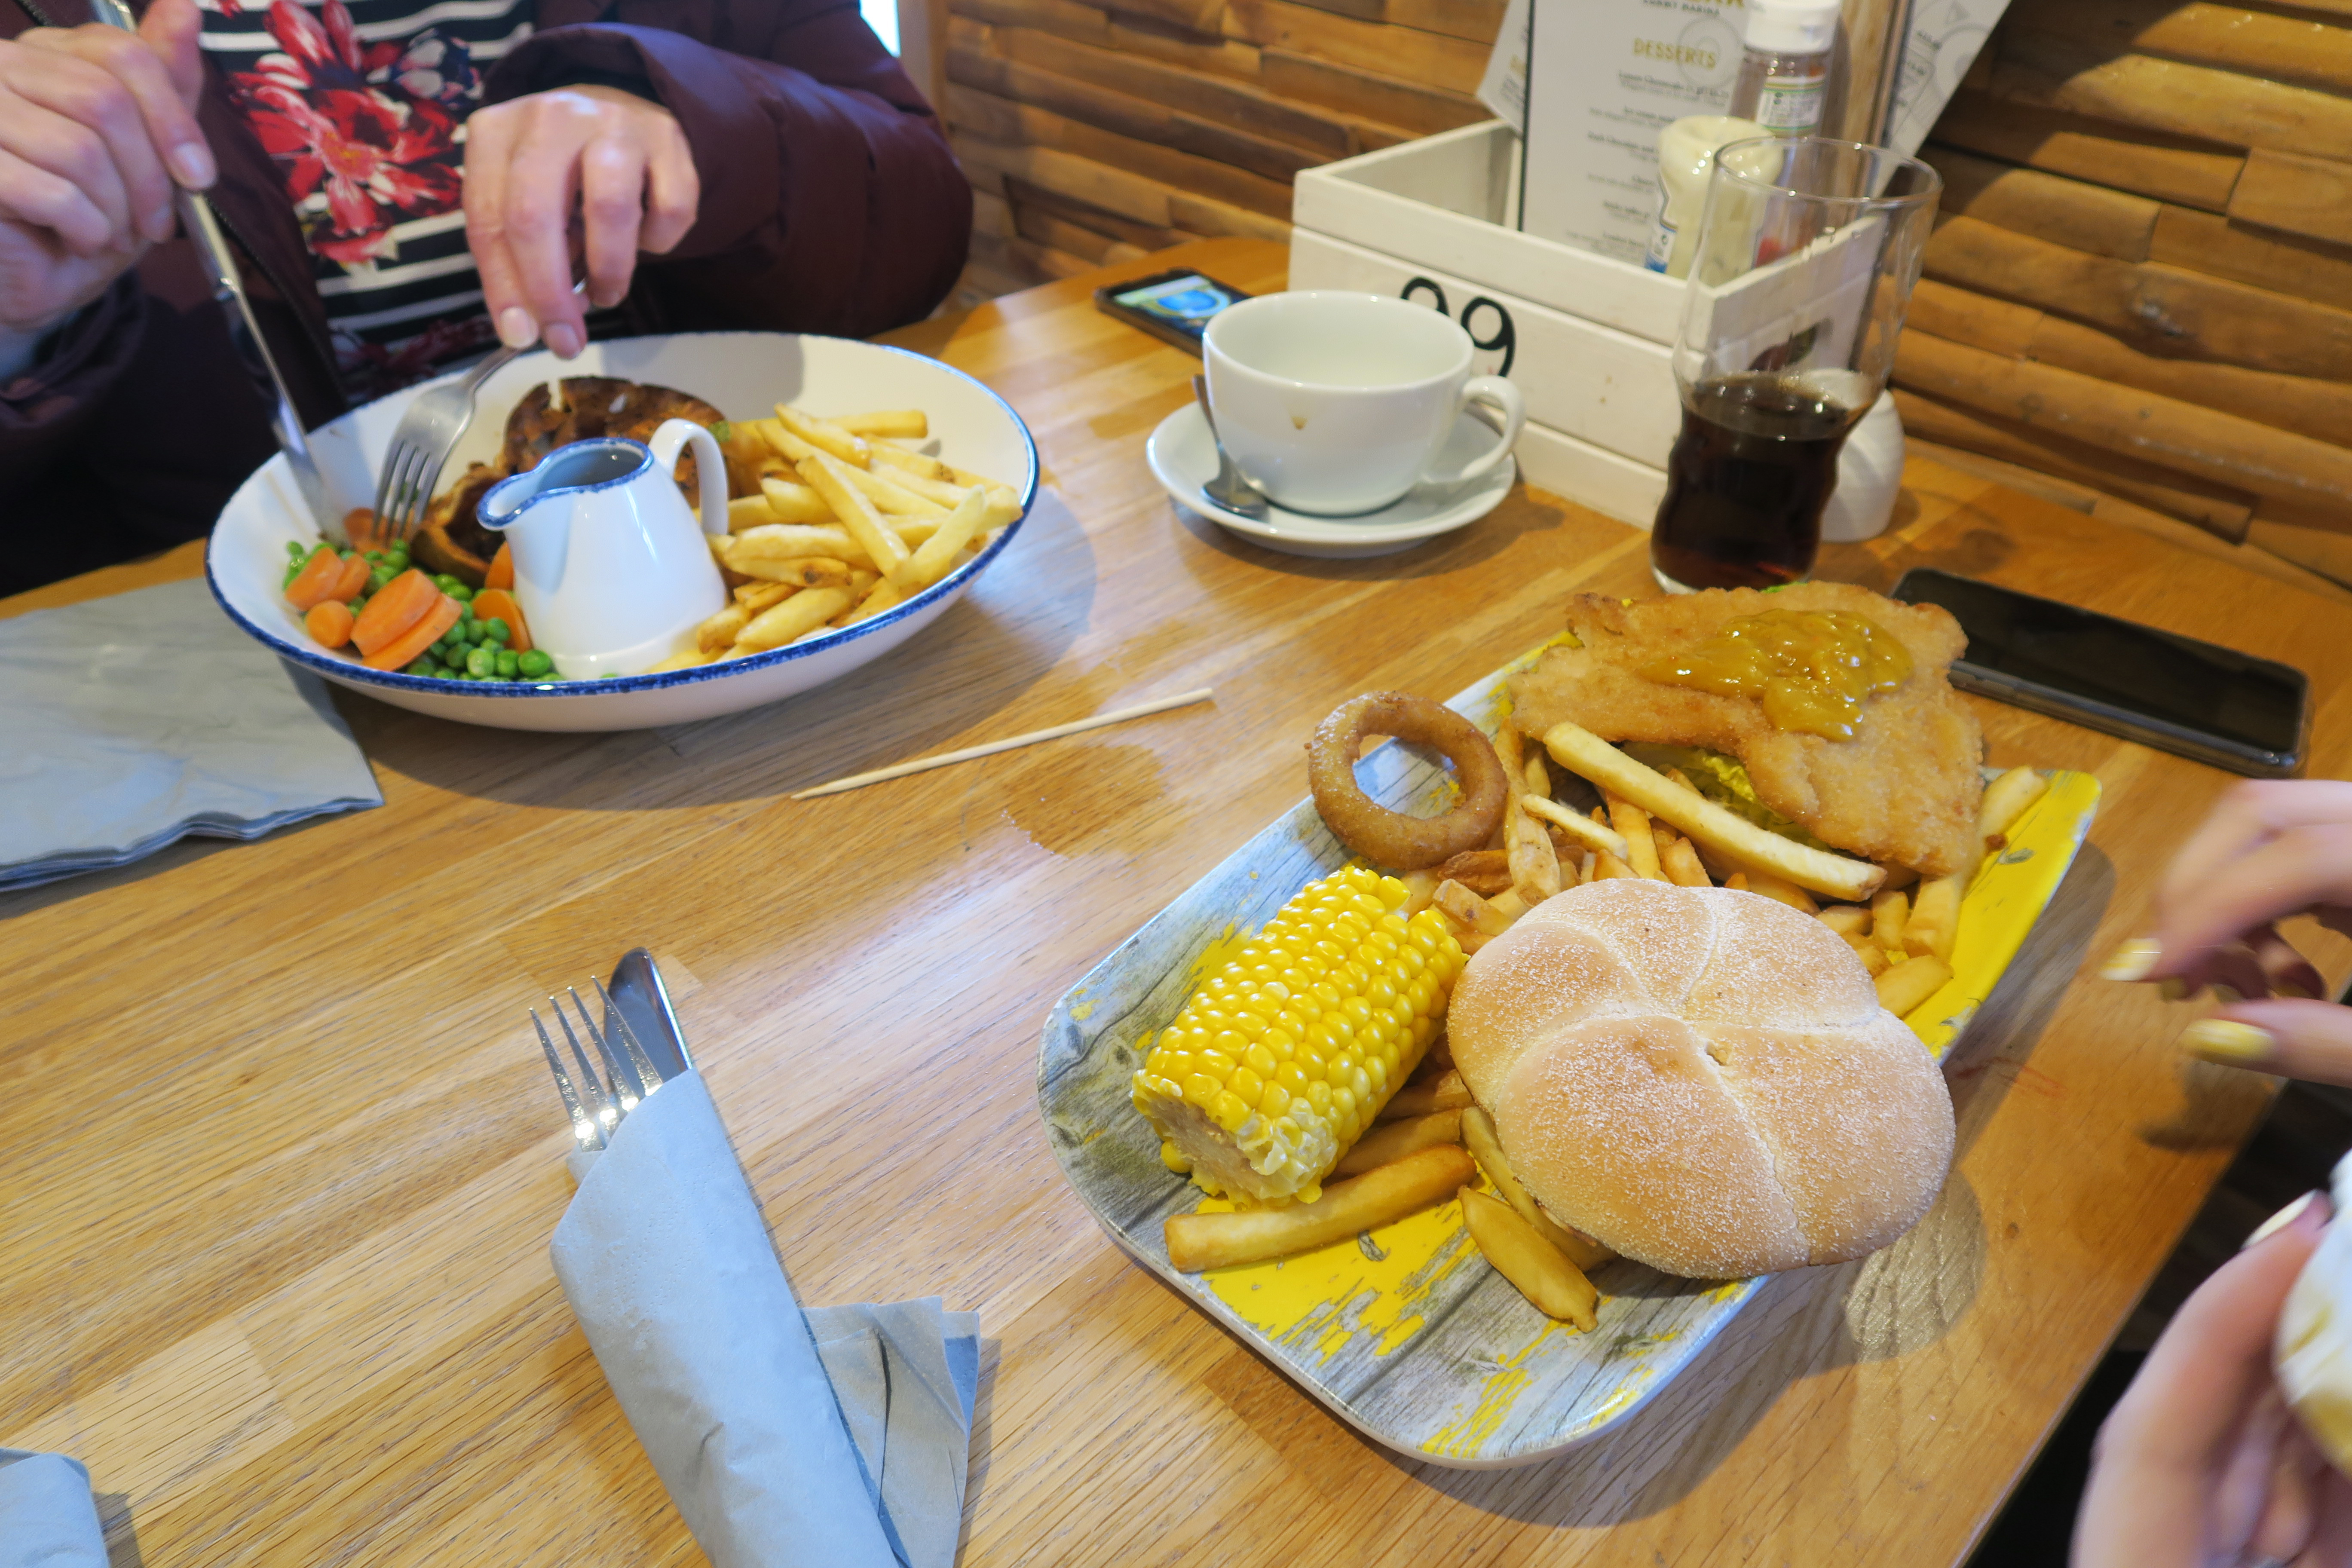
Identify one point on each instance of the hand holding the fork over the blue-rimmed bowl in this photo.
(615, 159)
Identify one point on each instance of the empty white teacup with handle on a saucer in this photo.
(1339, 403)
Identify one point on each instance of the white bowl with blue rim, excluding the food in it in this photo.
(740, 373)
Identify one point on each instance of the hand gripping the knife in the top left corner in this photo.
(95, 130)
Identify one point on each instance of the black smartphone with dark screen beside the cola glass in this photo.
(2179, 695)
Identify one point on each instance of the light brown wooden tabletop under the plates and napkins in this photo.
(283, 1160)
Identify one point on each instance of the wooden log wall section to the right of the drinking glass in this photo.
(2139, 295)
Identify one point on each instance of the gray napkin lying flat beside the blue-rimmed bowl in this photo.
(138, 721)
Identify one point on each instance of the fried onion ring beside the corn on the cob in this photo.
(1389, 838)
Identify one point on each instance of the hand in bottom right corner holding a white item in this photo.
(2203, 1463)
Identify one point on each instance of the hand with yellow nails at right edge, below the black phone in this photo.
(2271, 850)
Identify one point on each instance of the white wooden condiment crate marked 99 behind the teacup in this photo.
(1586, 337)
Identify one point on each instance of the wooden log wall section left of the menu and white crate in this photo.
(1095, 133)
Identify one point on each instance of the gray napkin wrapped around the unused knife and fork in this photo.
(827, 1440)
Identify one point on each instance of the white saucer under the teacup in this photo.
(1184, 457)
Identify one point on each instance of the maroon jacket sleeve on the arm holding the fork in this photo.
(829, 196)
